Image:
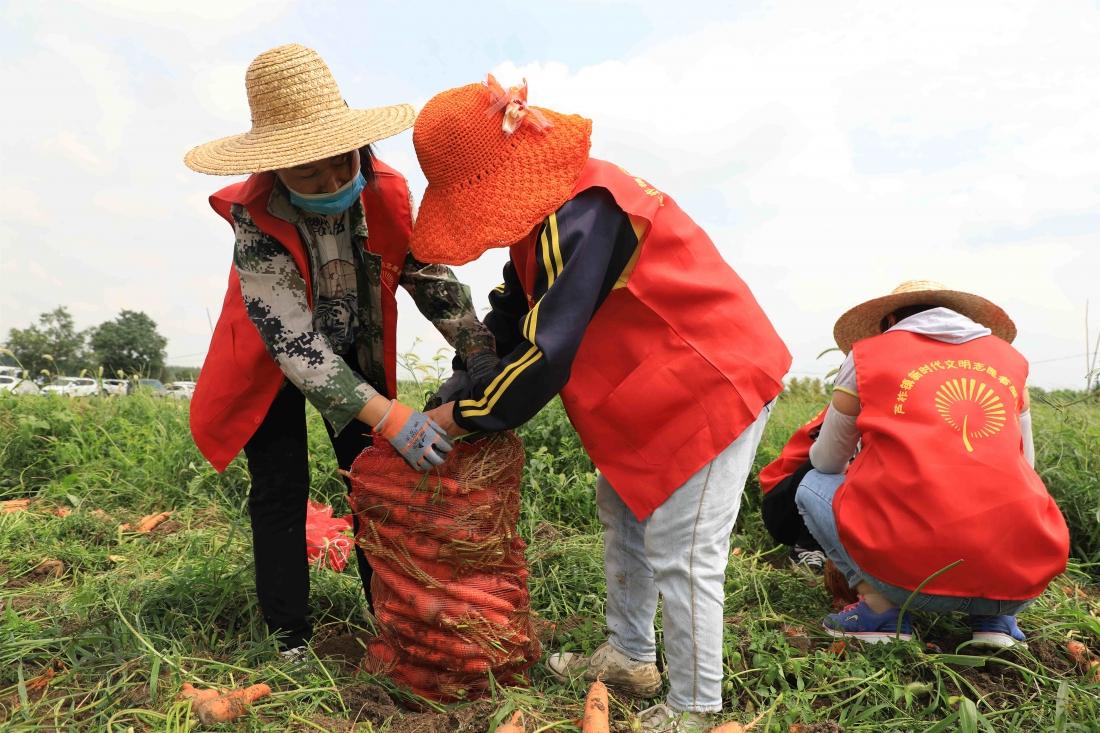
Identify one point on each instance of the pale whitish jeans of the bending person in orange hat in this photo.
(681, 552)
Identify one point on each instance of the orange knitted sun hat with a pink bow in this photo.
(496, 169)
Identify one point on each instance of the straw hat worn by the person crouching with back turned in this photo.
(865, 320)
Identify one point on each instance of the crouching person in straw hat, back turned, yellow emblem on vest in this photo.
(942, 508)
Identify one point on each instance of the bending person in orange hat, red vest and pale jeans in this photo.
(618, 301)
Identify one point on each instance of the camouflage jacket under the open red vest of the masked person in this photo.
(310, 344)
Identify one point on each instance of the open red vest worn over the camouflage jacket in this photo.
(239, 379)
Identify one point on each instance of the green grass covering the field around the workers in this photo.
(108, 642)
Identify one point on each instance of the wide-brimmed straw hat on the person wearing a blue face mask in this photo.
(299, 116)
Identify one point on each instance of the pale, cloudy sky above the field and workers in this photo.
(831, 149)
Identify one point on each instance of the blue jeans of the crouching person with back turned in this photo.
(815, 499)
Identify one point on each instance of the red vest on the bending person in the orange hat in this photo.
(674, 366)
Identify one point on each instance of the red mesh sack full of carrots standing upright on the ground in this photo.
(450, 577)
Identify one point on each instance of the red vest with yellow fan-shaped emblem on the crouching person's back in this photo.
(942, 475)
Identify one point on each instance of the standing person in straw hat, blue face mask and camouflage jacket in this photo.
(323, 231)
